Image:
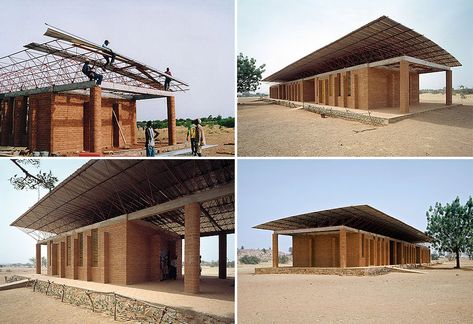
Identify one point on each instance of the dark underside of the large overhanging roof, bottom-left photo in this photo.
(105, 189)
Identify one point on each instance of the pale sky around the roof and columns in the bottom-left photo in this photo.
(18, 247)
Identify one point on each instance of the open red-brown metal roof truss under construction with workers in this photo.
(60, 62)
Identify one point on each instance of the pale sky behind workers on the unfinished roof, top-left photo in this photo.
(195, 39)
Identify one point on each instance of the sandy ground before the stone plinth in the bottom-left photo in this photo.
(22, 305)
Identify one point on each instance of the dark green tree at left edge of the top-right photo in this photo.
(248, 74)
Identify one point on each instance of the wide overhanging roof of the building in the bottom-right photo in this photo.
(361, 217)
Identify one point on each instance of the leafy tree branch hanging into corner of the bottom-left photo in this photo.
(30, 181)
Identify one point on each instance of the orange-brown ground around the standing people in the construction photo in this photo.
(223, 137)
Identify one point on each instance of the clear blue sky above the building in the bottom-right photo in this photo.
(404, 189)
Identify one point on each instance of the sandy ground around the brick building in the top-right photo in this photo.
(273, 130)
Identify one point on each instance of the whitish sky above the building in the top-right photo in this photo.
(279, 32)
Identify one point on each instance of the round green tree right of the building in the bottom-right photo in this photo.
(451, 227)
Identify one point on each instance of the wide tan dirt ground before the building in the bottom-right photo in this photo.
(438, 296)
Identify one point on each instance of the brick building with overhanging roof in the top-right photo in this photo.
(375, 66)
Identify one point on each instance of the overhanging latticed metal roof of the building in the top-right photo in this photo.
(378, 40)
